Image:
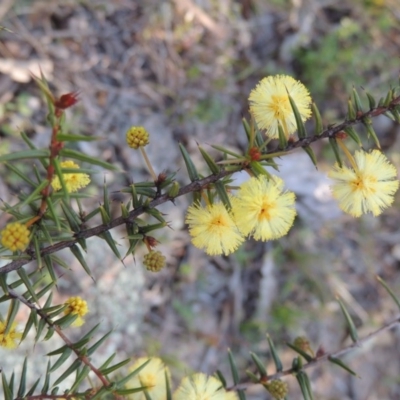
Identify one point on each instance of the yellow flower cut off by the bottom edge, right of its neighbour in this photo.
(202, 387)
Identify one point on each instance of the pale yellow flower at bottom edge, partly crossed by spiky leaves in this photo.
(152, 376)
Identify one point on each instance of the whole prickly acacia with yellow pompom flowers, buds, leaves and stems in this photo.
(52, 217)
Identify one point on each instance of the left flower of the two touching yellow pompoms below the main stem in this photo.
(212, 229)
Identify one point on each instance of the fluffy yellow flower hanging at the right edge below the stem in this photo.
(368, 186)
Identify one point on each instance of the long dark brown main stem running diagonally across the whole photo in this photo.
(330, 132)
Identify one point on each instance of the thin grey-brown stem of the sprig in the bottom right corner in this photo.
(320, 359)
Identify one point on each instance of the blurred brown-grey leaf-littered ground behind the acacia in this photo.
(184, 69)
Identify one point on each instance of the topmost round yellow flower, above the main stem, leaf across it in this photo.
(270, 105)
